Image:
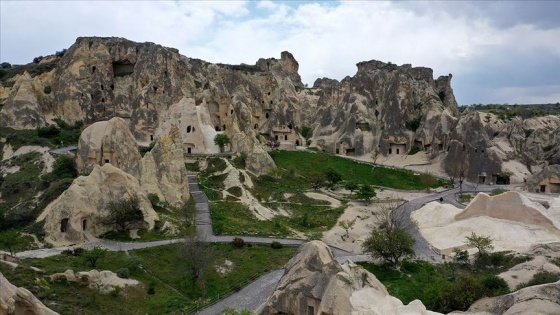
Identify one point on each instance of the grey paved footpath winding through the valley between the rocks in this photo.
(254, 294)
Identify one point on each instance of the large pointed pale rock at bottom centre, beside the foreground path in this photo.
(315, 283)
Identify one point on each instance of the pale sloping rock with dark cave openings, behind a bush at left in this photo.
(80, 208)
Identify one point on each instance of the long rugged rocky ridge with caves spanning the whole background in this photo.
(384, 110)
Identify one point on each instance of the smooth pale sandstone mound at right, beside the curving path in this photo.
(516, 227)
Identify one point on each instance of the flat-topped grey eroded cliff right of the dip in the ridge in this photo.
(385, 107)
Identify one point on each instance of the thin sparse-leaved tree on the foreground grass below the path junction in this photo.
(196, 257)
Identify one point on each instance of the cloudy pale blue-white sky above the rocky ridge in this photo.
(498, 52)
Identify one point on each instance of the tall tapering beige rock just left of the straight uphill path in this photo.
(163, 170)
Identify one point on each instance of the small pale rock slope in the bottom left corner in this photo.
(16, 301)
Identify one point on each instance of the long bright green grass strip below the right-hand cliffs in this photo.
(303, 164)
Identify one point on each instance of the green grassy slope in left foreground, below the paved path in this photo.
(172, 292)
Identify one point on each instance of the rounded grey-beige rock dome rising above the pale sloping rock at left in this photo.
(108, 142)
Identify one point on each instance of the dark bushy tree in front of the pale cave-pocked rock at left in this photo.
(123, 213)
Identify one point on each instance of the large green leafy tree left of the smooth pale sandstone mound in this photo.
(390, 240)
